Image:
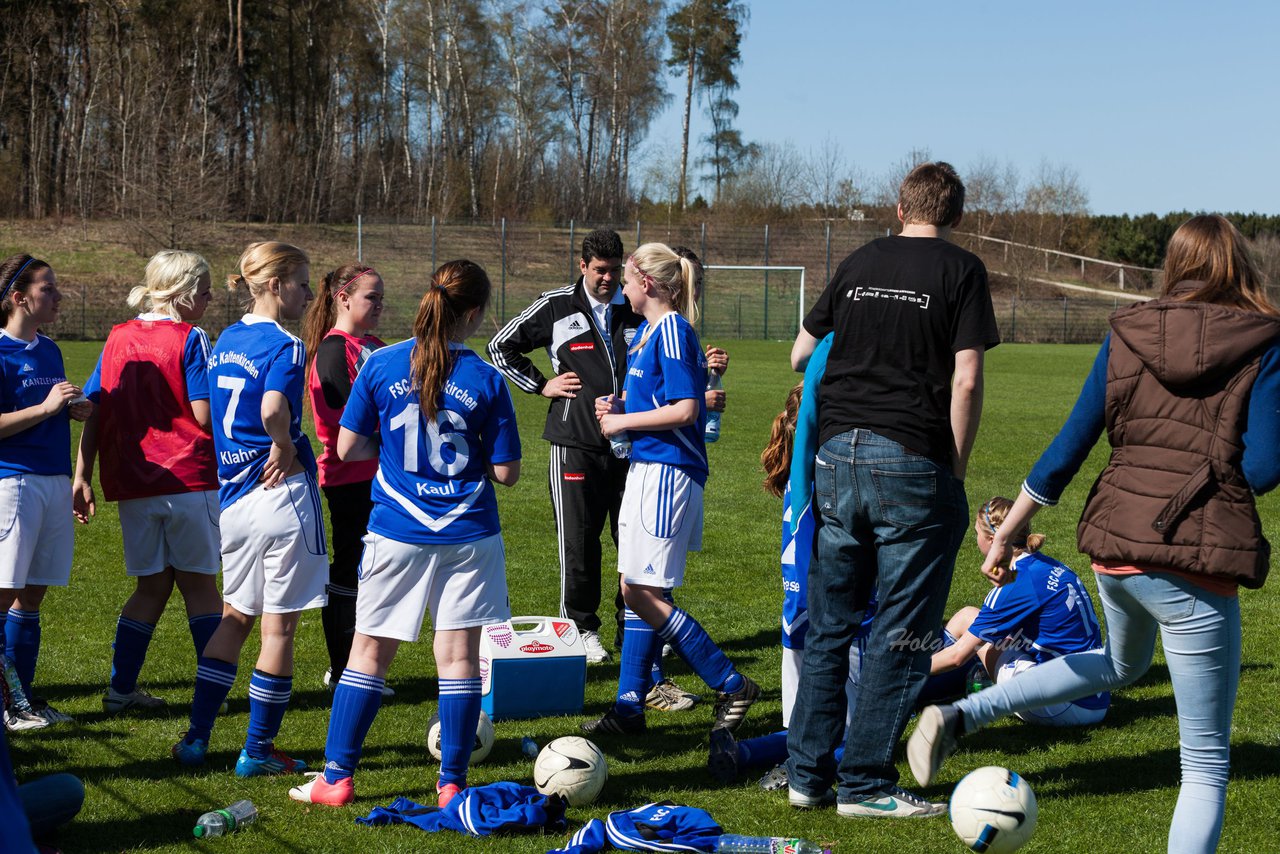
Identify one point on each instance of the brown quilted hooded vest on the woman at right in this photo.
(1177, 401)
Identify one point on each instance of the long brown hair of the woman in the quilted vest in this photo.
(1209, 250)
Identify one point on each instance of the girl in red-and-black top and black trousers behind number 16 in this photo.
(339, 336)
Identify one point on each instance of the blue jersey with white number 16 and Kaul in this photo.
(432, 483)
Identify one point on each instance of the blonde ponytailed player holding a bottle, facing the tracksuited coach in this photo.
(662, 506)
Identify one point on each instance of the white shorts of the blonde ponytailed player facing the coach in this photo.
(661, 522)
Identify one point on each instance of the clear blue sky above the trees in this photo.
(1156, 106)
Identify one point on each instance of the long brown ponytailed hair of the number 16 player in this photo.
(458, 287)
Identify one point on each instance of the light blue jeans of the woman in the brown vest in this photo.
(1201, 636)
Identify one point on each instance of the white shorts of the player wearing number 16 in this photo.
(464, 584)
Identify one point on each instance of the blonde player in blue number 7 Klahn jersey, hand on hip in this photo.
(273, 544)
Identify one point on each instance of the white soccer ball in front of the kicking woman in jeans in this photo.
(994, 811)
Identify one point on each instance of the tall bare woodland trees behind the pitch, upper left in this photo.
(316, 111)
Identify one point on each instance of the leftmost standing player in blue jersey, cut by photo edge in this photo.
(36, 407)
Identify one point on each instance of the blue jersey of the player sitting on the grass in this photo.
(1046, 609)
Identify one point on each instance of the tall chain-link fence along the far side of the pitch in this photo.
(527, 259)
